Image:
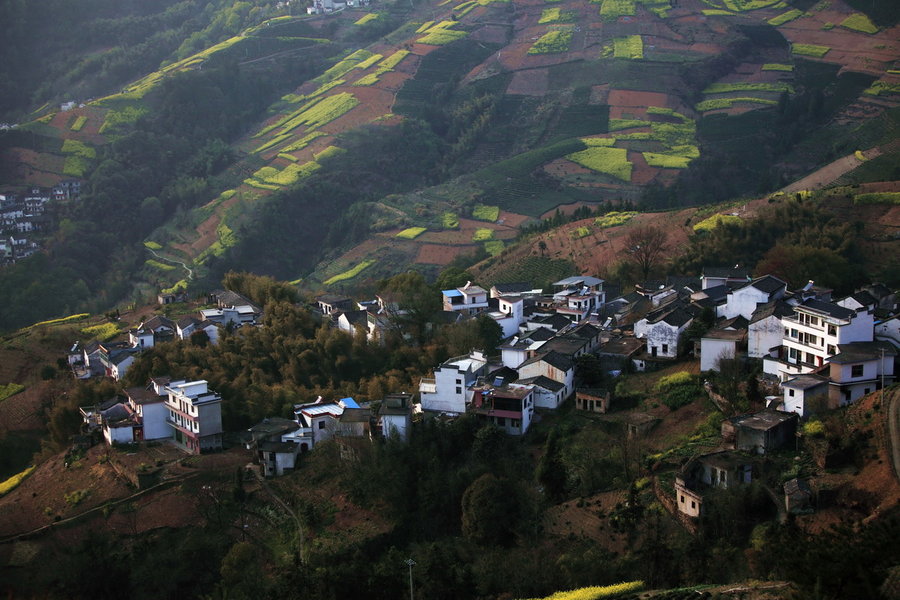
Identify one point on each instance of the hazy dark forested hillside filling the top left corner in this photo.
(59, 50)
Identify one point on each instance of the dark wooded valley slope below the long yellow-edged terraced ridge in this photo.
(170, 161)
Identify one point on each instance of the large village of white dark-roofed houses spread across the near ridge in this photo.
(817, 353)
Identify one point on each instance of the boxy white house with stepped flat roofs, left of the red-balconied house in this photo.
(448, 390)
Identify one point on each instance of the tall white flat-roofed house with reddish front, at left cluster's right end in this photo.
(195, 416)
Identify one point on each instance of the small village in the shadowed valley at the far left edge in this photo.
(23, 217)
